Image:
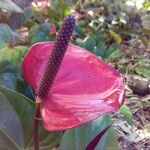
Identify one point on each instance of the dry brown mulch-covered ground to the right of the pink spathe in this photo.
(136, 137)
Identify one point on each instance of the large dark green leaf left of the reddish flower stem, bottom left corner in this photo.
(16, 116)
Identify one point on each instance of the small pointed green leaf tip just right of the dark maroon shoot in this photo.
(112, 143)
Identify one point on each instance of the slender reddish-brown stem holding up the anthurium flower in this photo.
(35, 126)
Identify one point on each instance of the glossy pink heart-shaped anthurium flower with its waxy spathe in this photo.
(84, 87)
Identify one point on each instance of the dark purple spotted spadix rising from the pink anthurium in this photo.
(56, 56)
